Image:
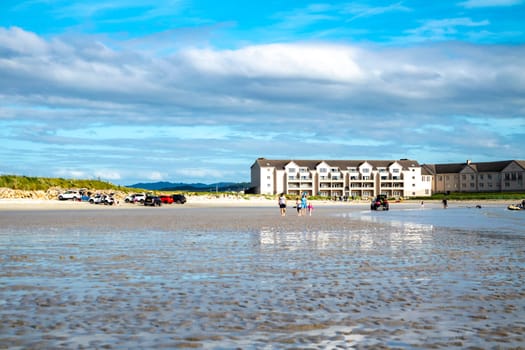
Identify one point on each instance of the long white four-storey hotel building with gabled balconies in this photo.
(341, 178)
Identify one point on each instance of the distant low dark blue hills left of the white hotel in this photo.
(194, 187)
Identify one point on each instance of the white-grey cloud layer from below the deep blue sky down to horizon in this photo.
(82, 106)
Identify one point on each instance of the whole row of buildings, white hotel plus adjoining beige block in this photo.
(394, 178)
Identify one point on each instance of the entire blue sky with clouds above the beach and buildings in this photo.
(131, 91)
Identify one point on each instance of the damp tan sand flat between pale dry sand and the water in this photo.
(177, 218)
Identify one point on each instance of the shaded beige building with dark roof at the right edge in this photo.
(502, 176)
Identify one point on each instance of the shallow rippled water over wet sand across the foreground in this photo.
(404, 279)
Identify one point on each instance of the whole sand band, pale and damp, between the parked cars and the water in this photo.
(202, 215)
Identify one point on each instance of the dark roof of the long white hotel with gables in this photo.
(341, 164)
